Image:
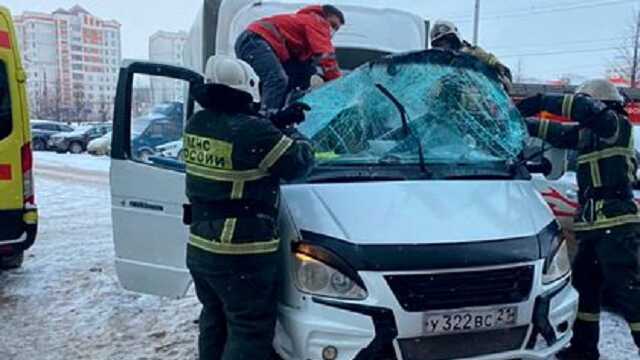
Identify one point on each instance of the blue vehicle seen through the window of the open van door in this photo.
(162, 125)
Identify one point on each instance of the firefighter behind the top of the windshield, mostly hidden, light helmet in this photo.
(445, 35)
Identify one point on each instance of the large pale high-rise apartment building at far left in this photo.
(72, 60)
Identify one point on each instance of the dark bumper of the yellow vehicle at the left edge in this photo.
(18, 229)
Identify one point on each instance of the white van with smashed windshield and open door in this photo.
(418, 236)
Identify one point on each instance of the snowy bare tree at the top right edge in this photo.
(626, 65)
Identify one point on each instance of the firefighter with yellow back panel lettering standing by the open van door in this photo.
(235, 160)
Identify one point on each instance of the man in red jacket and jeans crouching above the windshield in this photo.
(287, 50)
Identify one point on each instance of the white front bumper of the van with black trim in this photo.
(374, 329)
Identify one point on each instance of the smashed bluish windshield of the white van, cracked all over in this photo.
(454, 106)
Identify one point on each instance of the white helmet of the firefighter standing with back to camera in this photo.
(234, 73)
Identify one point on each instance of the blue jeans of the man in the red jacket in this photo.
(277, 79)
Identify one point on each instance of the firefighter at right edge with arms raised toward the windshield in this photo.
(607, 224)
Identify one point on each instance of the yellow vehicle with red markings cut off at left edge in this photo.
(18, 211)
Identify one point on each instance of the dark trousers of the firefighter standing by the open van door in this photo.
(239, 306)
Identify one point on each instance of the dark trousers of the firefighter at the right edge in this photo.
(606, 258)
